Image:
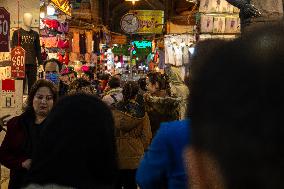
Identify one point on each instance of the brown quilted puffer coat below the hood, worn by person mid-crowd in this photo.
(133, 136)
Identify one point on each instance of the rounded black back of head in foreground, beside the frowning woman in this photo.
(77, 146)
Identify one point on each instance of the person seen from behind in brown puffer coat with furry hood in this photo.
(133, 135)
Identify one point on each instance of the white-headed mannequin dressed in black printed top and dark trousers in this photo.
(28, 39)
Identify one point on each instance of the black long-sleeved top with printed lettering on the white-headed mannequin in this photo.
(29, 40)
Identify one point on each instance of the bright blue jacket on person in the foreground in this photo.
(163, 164)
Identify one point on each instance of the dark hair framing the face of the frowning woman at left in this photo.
(38, 84)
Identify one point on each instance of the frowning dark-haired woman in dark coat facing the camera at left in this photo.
(23, 132)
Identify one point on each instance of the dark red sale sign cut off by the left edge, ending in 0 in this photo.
(4, 29)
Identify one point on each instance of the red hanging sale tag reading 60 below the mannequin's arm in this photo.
(18, 62)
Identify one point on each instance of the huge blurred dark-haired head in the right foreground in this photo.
(237, 109)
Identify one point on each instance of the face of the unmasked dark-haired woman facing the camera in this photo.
(43, 101)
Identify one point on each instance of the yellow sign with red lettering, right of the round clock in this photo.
(150, 21)
